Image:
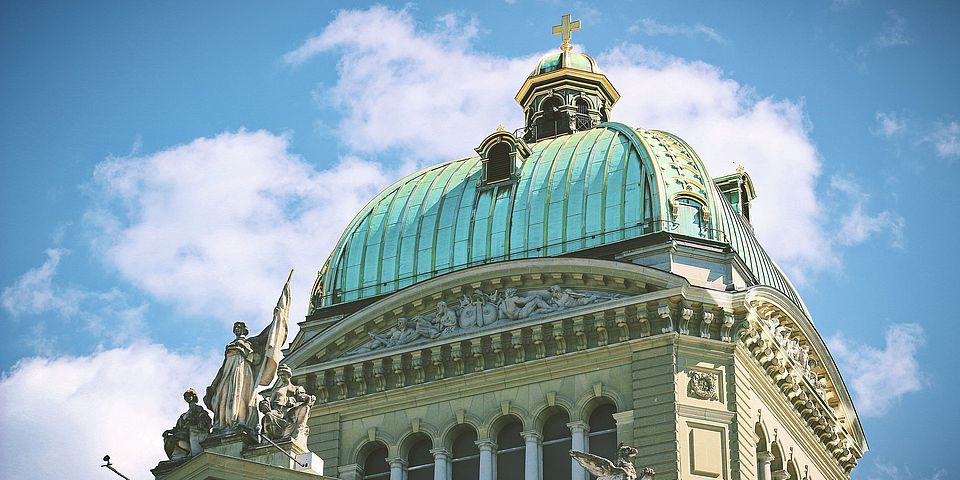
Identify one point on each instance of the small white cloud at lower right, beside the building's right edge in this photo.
(880, 377)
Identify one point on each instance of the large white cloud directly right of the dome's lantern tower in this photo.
(728, 124)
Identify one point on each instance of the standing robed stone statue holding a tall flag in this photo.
(247, 363)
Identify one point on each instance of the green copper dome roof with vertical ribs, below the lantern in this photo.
(573, 192)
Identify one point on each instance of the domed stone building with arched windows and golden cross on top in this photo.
(576, 284)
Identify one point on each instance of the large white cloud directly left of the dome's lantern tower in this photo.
(427, 93)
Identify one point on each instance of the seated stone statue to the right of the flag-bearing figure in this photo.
(286, 409)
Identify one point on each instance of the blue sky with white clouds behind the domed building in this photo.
(163, 165)
